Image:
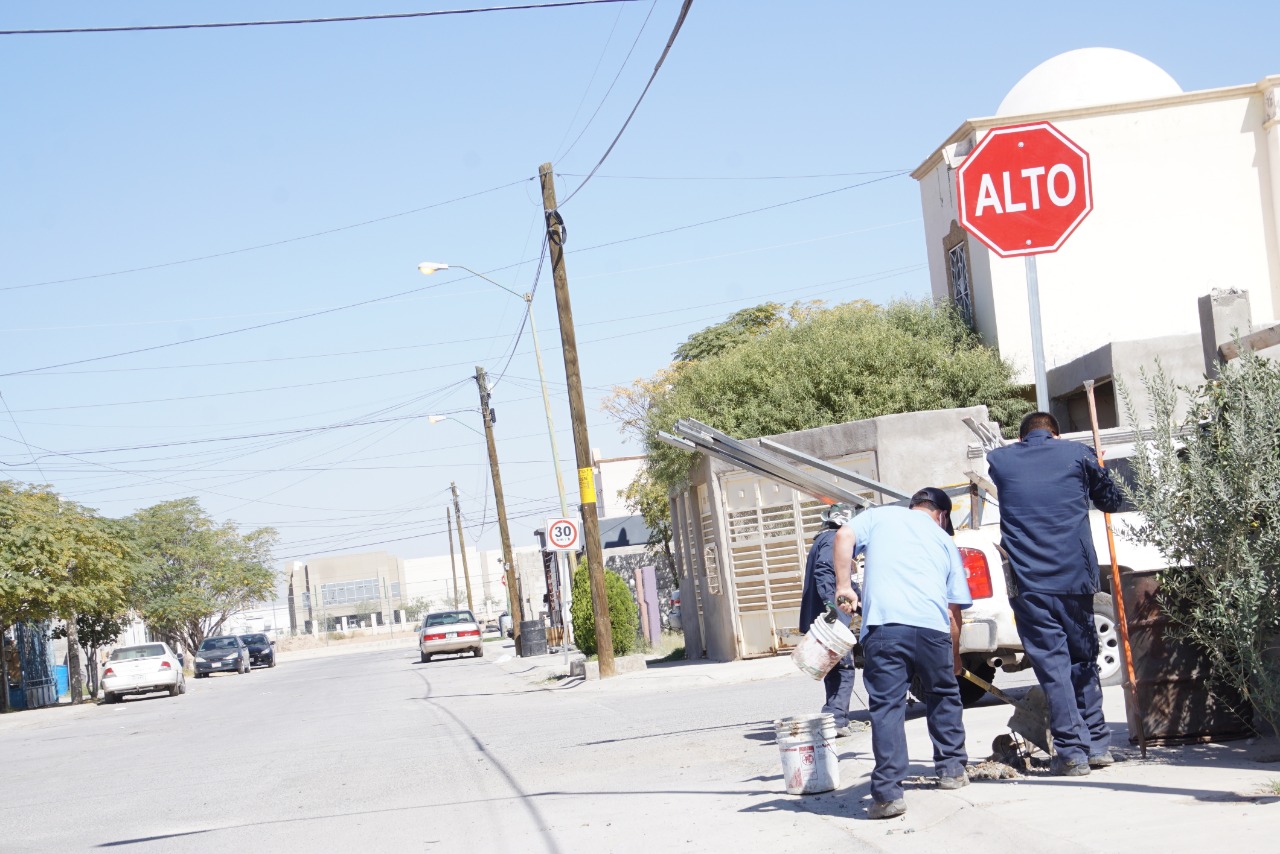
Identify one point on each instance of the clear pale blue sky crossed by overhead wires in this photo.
(145, 149)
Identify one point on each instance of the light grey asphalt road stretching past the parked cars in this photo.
(367, 751)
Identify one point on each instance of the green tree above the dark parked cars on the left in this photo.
(195, 574)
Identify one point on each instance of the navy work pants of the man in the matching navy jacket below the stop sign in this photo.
(1063, 646)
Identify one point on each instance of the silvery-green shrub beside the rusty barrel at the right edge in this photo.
(1208, 486)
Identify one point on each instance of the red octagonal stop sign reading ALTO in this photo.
(1025, 189)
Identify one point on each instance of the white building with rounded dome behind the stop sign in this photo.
(1186, 199)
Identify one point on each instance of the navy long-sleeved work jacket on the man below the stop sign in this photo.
(1045, 487)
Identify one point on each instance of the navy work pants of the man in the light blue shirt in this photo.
(894, 655)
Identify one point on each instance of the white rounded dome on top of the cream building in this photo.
(1089, 77)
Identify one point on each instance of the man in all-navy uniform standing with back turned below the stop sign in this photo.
(1045, 486)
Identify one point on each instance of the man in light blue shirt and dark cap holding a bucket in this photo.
(913, 591)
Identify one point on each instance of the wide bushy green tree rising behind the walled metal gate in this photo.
(820, 367)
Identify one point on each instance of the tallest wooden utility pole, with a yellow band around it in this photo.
(578, 414)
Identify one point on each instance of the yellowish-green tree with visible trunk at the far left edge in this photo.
(60, 560)
